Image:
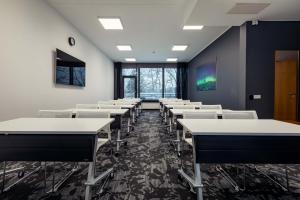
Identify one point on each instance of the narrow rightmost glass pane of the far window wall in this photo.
(170, 83)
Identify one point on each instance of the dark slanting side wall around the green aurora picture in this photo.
(227, 52)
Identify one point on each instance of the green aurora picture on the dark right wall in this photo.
(206, 78)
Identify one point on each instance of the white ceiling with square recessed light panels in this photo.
(152, 27)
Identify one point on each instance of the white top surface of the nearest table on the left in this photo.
(54, 125)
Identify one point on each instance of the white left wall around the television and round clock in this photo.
(30, 31)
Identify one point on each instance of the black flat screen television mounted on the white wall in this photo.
(69, 70)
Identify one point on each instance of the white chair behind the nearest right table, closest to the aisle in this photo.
(196, 115)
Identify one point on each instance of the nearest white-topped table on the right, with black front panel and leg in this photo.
(240, 141)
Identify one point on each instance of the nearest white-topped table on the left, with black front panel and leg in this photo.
(54, 139)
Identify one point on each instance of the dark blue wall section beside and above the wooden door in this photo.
(262, 42)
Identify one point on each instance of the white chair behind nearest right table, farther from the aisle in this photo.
(236, 115)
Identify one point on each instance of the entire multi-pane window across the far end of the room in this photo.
(149, 81)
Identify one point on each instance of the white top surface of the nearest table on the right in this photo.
(240, 127)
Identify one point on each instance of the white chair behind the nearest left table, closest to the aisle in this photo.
(101, 140)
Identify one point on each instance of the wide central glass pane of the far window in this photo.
(151, 83)
